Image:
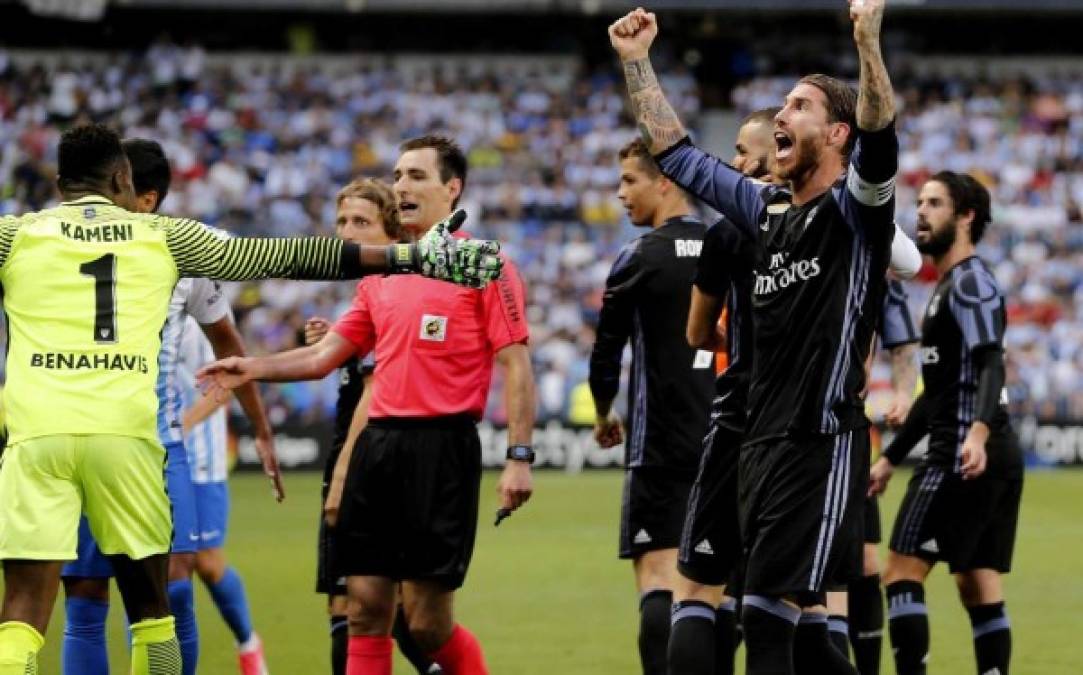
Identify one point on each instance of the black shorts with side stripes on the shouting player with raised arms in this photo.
(800, 505)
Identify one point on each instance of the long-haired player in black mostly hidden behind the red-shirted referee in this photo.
(366, 214)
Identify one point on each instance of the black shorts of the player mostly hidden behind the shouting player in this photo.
(711, 540)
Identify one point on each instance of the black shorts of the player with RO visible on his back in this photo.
(653, 510)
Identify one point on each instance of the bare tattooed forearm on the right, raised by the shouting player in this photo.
(876, 97)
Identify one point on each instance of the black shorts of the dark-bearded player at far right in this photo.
(971, 525)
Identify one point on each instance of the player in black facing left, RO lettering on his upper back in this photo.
(647, 301)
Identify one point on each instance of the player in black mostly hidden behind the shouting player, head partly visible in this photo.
(703, 632)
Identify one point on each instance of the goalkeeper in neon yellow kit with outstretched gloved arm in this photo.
(82, 369)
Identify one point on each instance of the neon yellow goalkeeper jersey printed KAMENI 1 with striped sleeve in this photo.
(86, 290)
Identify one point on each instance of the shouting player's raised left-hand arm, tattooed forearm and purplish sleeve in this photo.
(709, 178)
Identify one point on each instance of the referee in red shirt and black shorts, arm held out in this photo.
(410, 508)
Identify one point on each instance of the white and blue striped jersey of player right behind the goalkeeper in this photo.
(203, 301)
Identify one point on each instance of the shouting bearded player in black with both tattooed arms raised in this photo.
(825, 246)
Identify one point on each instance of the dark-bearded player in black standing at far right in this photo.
(962, 504)
